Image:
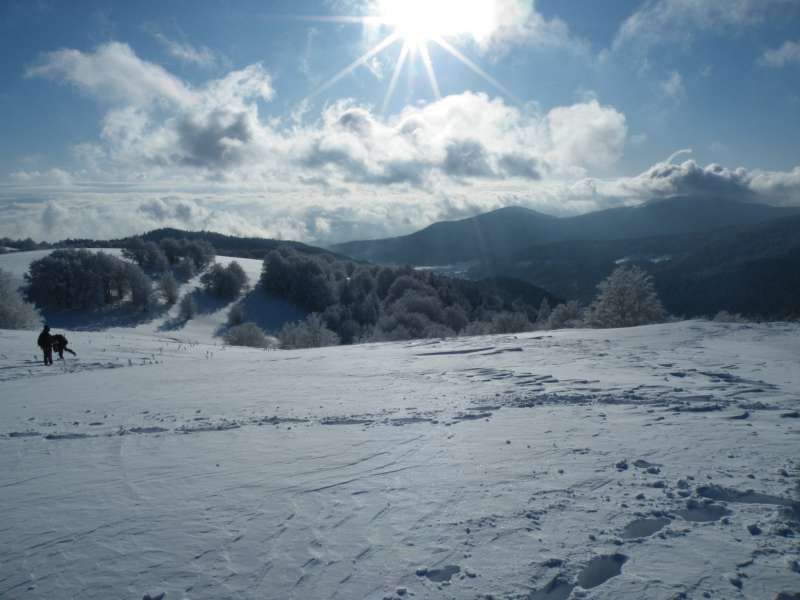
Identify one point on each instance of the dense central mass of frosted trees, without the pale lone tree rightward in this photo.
(362, 302)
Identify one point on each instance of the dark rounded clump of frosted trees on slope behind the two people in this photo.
(79, 279)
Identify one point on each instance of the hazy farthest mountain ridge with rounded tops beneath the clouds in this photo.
(504, 233)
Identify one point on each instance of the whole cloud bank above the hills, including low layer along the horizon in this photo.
(202, 157)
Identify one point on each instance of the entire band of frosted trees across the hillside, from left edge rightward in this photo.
(348, 301)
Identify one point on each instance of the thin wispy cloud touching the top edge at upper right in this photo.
(660, 21)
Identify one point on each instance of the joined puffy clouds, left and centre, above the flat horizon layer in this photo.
(215, 132)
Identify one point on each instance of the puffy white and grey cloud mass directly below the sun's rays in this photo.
(460, 137)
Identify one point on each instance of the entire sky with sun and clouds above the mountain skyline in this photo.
(119, 117)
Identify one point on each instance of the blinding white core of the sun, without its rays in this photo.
(420, 21)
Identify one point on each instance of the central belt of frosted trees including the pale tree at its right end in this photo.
(356, 302)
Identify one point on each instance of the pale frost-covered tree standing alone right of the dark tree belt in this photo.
(626, 298)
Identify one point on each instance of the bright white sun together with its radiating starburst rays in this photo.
(417, 24)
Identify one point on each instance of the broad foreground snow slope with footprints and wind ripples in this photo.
(654, 462)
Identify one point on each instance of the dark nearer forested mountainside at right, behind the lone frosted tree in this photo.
(753, 269)
